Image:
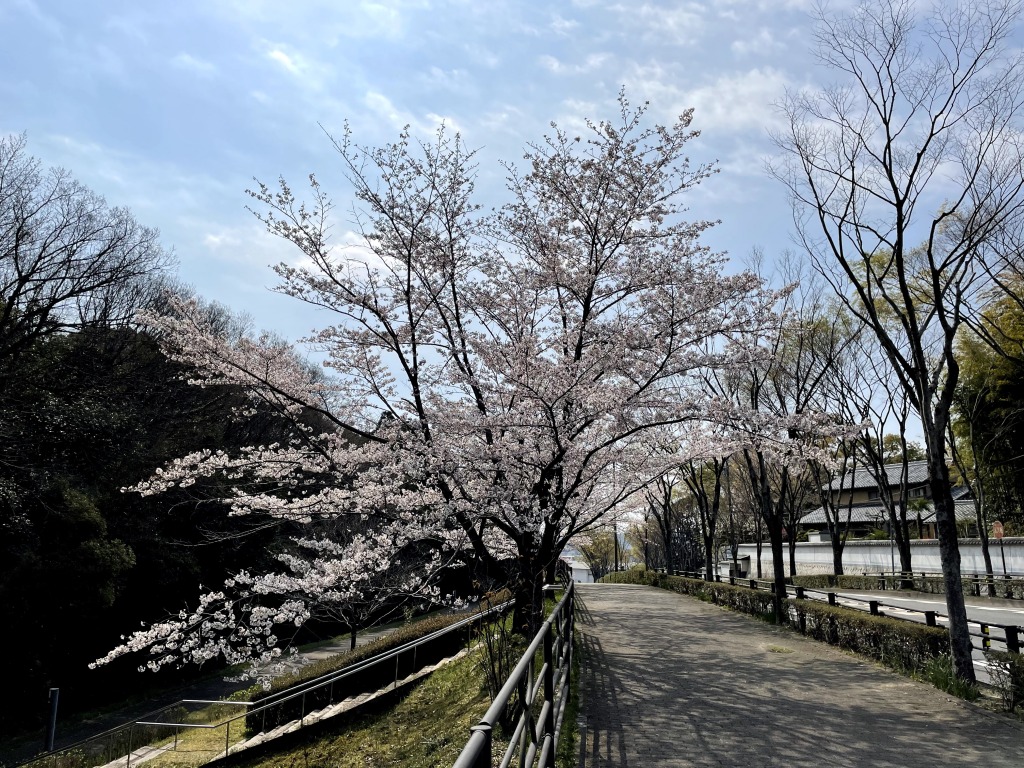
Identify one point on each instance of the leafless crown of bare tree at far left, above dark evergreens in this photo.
(67, 260)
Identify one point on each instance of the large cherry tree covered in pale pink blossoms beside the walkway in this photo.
(492, 375)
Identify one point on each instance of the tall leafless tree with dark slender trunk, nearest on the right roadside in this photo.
(900, 176)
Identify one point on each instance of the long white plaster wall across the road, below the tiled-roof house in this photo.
(815, 558)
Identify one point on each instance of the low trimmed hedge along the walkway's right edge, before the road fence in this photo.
(903, 646)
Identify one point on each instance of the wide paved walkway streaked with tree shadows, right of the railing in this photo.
(672, 681)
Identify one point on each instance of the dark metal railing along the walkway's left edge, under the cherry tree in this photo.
(534, 738)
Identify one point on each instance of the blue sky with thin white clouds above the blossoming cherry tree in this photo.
(173, 108)
